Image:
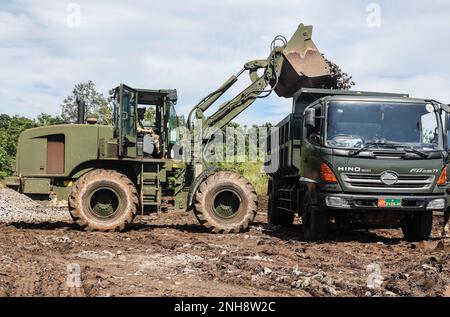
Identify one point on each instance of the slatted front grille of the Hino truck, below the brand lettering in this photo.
(373, 181)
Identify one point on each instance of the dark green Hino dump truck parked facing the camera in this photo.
(353, 159)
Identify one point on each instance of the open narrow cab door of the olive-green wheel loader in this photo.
(127, 122)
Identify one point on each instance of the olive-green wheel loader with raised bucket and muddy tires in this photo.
(110, 174)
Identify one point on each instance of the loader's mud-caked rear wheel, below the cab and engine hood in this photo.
(103, 201)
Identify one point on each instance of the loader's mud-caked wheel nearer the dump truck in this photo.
(226, 203)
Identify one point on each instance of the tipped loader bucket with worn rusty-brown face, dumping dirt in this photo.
(303, 65)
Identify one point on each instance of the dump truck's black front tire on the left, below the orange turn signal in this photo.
(314, 222)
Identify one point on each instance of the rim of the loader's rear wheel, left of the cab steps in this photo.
(104, 202)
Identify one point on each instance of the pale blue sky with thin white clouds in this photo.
(48, 46)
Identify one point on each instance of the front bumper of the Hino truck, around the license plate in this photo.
(370, 202)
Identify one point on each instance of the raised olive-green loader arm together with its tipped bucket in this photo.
(294, 65)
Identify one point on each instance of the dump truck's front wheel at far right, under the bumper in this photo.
(418, 227)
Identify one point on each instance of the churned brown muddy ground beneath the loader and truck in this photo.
(173, 256)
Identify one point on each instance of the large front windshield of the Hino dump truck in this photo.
(356, 125)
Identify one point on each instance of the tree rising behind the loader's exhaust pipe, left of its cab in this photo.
(96, 104)
